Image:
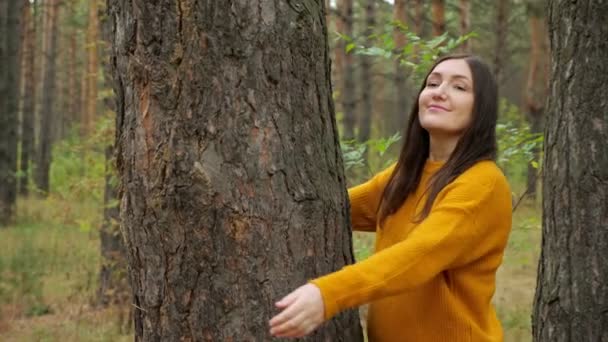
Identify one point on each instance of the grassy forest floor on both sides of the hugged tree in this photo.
(48, 277)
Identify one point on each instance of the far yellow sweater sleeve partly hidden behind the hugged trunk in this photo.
(364, 200)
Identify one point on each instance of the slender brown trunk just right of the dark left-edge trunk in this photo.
(29, 96)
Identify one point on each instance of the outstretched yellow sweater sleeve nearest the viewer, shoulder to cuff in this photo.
(450, 236)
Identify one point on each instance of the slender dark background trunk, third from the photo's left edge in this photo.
(43, 159)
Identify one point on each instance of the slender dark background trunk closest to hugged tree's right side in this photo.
(348, 74)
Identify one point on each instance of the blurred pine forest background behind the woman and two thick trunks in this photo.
(62, 276)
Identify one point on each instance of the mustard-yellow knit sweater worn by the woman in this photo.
(431, 281)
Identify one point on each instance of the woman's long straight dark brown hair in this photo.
(477, 143)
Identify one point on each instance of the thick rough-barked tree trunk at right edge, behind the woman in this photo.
(572, 286)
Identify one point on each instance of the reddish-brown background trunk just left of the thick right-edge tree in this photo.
(537, 85)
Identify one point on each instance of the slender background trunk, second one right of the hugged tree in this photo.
(367, 87)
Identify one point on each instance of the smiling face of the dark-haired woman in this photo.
(446, 102)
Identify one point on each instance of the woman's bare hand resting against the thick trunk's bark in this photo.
(303, 312)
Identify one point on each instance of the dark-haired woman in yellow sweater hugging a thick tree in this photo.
(442, 217)
